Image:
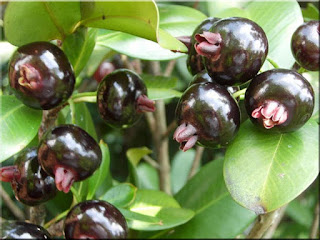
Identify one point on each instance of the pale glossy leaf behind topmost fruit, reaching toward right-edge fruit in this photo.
(279, 19)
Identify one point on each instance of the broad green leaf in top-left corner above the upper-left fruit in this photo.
(26, 22)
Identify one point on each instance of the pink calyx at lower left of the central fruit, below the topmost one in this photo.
(186, 135)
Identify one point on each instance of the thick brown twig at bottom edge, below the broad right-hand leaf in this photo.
(262, 224)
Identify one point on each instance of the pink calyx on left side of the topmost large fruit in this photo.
(208, 44)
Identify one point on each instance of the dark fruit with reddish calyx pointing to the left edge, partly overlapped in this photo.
(29, 182)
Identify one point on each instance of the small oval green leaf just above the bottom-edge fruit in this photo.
(121, 195)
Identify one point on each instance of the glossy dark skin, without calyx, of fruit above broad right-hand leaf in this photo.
(287, 87)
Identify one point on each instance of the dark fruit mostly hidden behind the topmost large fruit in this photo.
(194, 60)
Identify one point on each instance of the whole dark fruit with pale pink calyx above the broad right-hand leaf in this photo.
(279, 100)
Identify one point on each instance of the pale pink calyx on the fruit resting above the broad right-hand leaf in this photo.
(272, 113)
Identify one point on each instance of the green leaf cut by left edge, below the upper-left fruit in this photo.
(19, 124)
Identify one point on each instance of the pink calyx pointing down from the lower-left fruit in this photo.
(64, 178)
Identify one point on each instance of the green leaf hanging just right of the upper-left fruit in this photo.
(78, 48)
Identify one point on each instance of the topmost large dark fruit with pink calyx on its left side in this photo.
(234, 50)
